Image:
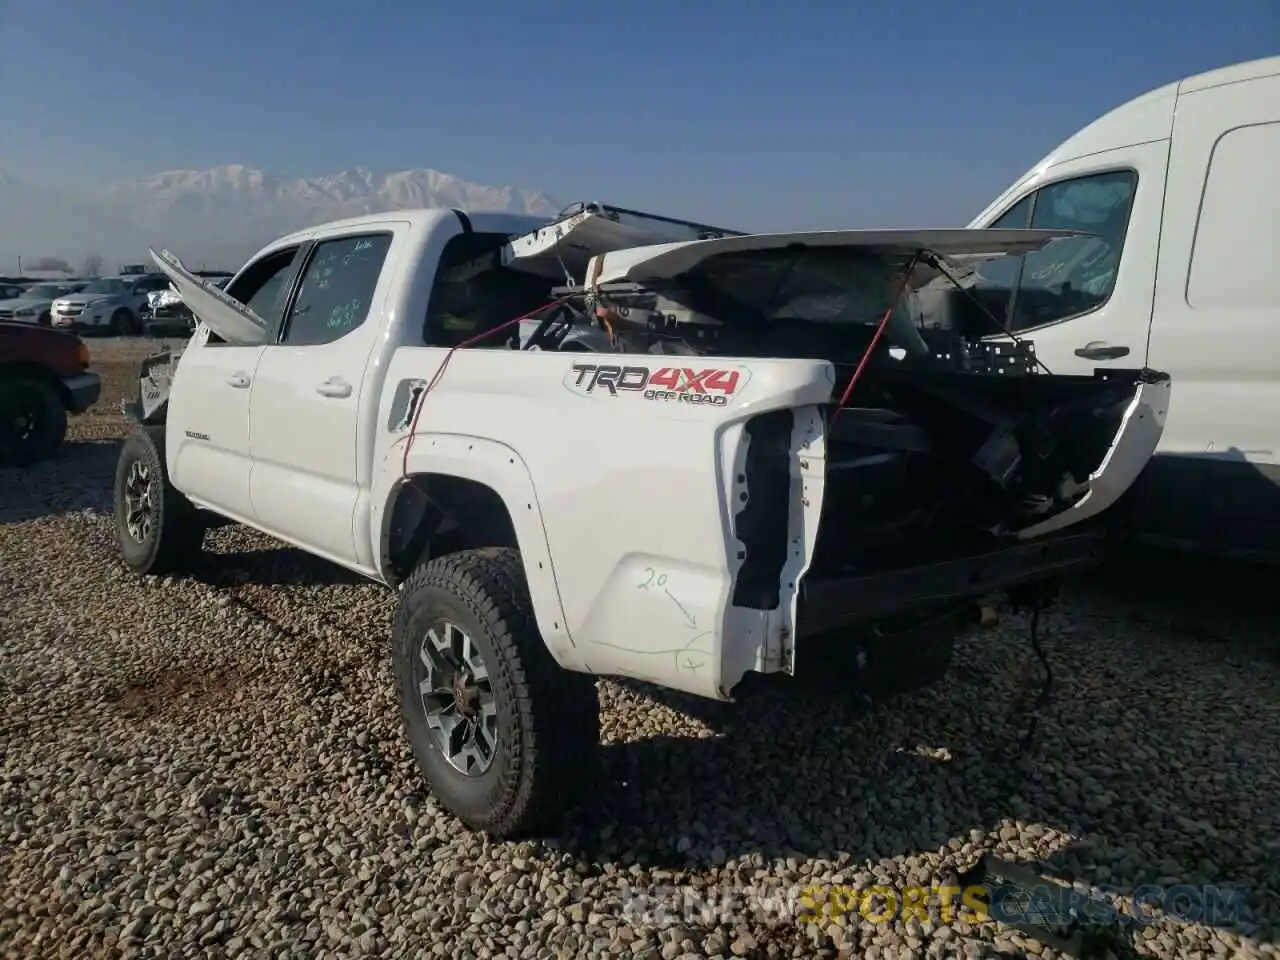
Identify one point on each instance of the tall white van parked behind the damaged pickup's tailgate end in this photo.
(1182, 188)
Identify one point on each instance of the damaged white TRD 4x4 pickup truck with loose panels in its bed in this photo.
(680, 455)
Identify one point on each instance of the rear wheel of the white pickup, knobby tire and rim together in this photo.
(504, 737)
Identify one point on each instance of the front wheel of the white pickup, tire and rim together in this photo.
(158, 529)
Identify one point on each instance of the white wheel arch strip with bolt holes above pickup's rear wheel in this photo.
(504, 470)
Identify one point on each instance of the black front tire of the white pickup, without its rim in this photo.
(177, 531)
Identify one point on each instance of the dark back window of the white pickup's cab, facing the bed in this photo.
(473, 294)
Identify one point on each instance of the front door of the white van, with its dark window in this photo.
(1086, 303)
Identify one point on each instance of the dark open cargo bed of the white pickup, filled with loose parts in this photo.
(948, 444)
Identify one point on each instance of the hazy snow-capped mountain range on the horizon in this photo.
(220, 217)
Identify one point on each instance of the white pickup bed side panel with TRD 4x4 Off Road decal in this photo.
(623, 495)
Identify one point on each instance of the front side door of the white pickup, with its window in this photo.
(208, 433)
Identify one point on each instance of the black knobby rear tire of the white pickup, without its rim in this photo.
(548, 717)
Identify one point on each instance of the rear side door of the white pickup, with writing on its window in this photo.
(309, 405)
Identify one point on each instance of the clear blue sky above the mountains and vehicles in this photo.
(761, 116)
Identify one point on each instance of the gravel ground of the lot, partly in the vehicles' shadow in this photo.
(214, 766)
